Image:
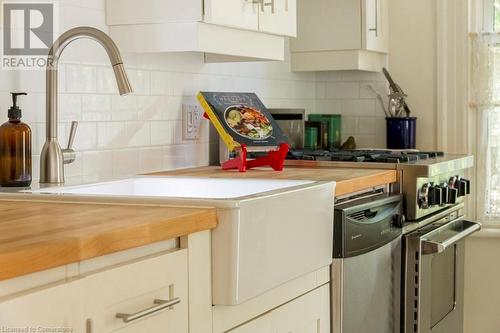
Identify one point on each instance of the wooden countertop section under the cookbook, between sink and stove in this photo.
(348, 180)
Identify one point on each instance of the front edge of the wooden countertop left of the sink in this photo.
(55, 253)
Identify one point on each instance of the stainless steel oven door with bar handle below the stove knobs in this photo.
(434, 271)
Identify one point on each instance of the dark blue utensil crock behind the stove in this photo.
(401, 132)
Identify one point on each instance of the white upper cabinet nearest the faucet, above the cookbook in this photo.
(225, 30)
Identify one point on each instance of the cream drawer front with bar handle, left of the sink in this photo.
(133, 298)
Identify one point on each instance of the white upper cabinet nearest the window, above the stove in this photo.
(341, 35)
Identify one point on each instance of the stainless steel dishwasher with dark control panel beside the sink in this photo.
(366, 269)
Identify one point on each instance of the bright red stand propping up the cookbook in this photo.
(274, 158)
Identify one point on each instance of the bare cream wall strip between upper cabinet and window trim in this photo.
(412, 62)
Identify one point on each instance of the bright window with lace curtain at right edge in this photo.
(485, 91)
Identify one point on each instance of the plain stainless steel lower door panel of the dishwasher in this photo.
(365, 291)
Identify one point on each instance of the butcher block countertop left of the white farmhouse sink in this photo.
(35, 236)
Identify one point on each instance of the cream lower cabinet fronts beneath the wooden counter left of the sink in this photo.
(90, 304)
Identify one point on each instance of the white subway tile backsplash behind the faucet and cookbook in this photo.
(122, 136)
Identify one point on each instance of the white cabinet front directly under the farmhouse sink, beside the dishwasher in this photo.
(309, 313)
